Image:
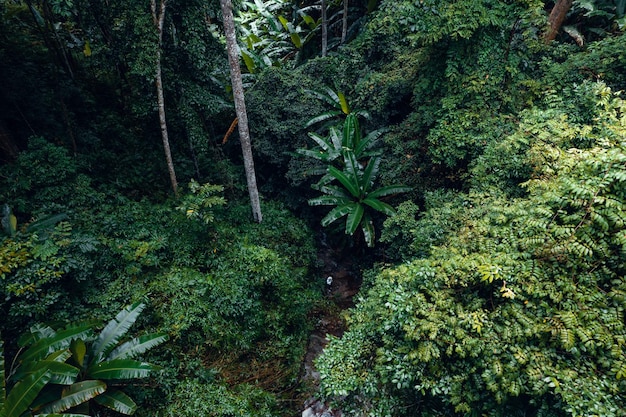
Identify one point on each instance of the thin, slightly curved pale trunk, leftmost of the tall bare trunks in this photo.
(159, 19)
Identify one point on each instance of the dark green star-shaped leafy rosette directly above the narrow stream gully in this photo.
(355, 196)
